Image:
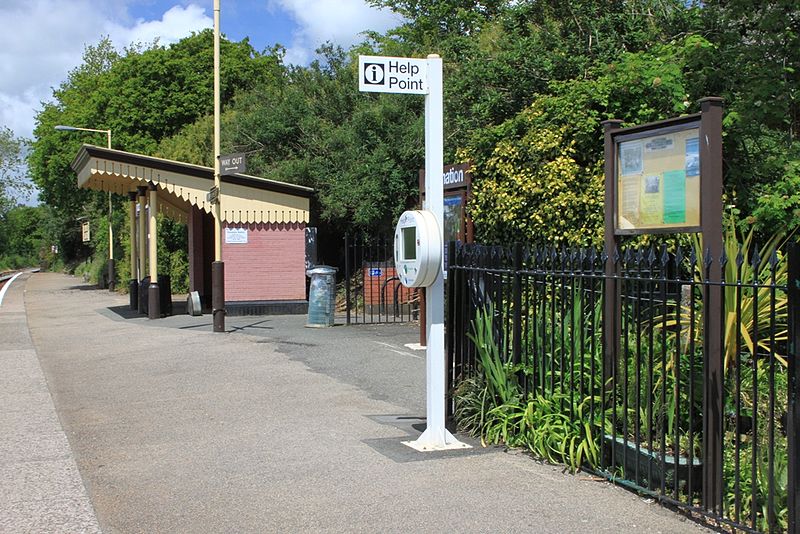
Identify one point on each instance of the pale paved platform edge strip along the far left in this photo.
(41, 489)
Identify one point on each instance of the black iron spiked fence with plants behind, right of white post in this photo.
(620, 343)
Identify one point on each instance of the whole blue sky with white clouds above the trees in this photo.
(42, 40)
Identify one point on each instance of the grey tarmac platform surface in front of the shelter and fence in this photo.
(273, 427)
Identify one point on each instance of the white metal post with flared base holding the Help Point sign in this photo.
(436, 436)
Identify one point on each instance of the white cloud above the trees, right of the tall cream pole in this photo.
(340, 22)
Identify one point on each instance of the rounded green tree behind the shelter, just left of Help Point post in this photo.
(360, 152)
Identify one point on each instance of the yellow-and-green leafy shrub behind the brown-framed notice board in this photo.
(542, 171)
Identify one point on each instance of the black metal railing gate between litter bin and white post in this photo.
(373, 292)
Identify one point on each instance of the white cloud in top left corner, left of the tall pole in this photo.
(42, 40)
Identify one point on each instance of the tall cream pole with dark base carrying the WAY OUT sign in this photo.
(218, 267)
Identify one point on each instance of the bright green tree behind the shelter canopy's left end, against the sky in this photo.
(144, 94)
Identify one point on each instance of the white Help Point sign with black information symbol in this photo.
(382, 74)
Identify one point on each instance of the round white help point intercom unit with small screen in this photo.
(417, 248)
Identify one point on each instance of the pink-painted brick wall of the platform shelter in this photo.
(270, 266)
